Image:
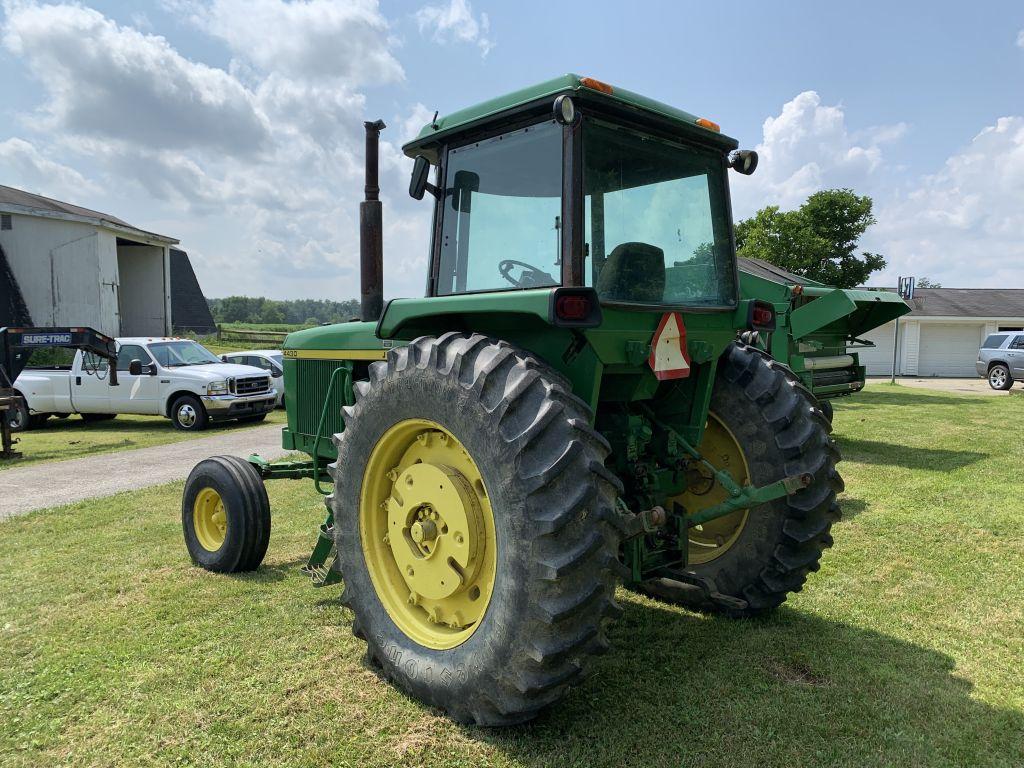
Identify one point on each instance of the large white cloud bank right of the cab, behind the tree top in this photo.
(960, 225)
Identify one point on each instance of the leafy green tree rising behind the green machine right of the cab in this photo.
(819, 240)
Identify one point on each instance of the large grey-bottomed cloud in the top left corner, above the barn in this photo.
(112, 82)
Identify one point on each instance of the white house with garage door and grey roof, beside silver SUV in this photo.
(944, 332)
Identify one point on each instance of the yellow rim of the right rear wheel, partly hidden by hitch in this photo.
(713, 539)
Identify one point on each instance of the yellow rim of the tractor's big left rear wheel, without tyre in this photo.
(429, 534)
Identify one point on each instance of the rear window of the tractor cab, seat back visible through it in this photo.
(657, 221)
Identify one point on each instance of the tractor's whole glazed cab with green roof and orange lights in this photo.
(578, 184)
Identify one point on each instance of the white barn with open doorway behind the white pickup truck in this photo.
(67, 266)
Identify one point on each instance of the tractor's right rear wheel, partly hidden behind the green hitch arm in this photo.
(763, 428)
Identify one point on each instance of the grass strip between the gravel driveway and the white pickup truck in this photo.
(73, 439)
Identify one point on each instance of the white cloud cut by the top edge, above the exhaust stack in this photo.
(306, 39)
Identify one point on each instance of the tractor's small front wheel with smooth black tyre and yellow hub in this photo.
(226, 516)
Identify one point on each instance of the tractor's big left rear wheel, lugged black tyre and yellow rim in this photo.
(476, 528)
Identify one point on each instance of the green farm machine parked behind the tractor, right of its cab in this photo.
(819, 329)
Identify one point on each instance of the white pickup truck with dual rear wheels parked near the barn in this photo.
(177, 378)
